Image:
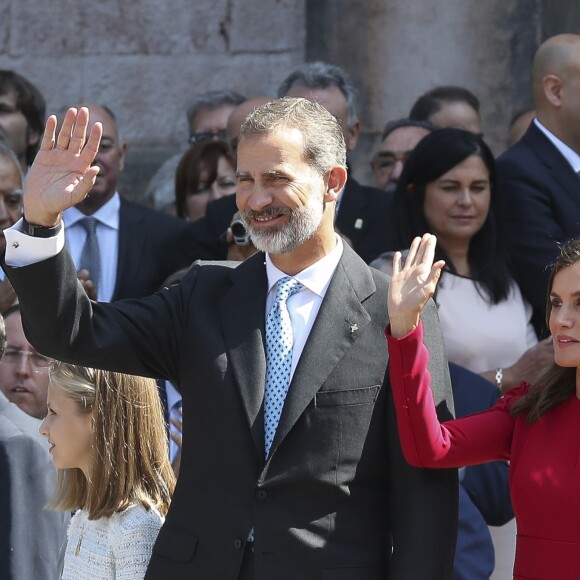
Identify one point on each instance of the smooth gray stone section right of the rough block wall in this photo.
(396, 50)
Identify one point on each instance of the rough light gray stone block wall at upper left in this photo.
(146, 59)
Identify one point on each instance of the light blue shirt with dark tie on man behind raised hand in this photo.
(108, 235)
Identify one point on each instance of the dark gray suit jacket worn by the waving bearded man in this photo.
(335, 495)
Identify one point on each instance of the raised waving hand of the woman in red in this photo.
(412, 284)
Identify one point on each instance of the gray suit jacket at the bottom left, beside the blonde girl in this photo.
(31, 538)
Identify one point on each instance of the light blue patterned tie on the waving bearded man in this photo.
(279, 342)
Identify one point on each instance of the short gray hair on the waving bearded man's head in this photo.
(324, 145)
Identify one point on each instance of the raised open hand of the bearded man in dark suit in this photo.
(62, 173)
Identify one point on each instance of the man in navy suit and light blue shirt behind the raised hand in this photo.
(139, 247)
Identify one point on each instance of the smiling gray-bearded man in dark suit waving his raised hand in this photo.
(291, 466)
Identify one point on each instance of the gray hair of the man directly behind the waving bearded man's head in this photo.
(321, 75)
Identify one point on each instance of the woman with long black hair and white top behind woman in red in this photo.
(447, 187)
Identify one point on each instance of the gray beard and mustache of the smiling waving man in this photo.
(302, 225)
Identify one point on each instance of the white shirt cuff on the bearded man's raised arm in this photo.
(23, 250)
